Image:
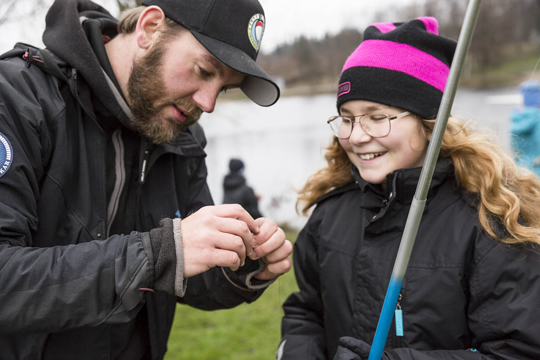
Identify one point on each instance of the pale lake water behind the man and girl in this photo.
(283, 144)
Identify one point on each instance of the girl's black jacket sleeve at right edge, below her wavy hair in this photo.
(504, 308)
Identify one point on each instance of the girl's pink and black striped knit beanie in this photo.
(403, 65)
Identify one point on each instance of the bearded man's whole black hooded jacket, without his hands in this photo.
(74, 287)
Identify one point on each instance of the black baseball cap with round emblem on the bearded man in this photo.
(232, 31)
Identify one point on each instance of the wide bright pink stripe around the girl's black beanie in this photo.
(400, 57)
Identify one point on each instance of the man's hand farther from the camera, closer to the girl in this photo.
(273, 248)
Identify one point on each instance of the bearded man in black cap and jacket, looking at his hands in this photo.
(99, 150)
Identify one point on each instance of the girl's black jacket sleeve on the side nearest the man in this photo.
(302, 326)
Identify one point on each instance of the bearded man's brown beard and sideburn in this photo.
(147, 98)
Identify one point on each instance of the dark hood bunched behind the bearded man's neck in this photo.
(65, 37)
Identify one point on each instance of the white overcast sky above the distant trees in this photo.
(286, 19)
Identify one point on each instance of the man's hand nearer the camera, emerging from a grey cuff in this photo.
(221, 235)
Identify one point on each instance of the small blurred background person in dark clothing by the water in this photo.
(236, 191)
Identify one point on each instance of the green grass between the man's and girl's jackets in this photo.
(249, 331)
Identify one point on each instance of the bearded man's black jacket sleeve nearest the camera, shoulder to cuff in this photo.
(60, 287)
